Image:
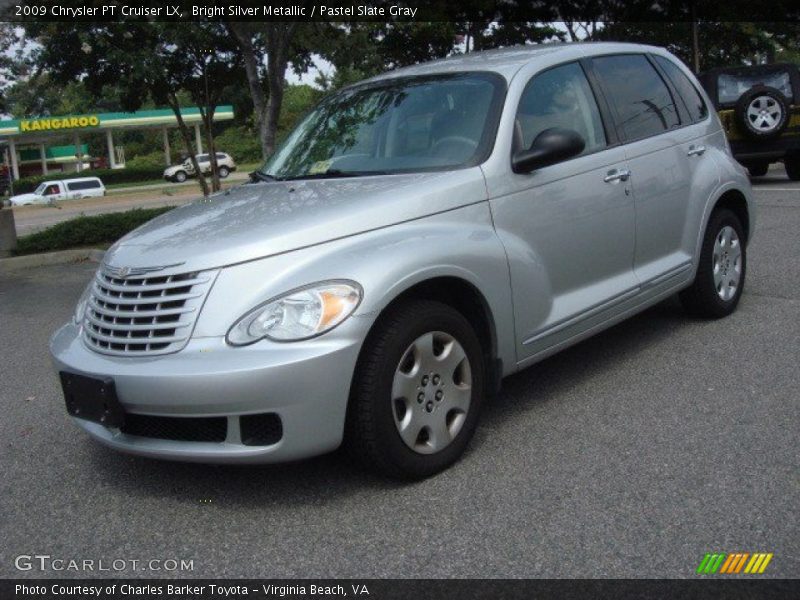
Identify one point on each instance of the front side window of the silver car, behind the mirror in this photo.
(560, 97)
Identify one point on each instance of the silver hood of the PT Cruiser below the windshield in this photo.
(262, 219)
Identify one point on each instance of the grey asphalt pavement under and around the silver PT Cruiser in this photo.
(630, 455)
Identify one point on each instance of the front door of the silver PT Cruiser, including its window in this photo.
(568, 228)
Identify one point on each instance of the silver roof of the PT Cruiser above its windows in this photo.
(507, 61)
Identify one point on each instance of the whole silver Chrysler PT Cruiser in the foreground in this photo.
(417, 237)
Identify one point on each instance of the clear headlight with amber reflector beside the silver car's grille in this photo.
(298, 315)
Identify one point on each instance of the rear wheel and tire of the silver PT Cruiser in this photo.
(718, 284)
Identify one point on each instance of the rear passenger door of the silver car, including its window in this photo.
(656, 148)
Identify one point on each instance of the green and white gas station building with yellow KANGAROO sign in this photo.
(26, 140)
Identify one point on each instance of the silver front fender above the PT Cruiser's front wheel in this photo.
(459, 243)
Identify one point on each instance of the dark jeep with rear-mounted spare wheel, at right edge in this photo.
(759, 111)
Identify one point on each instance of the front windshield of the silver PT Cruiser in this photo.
(394, 126)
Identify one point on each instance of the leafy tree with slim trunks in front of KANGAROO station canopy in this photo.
(142, 61)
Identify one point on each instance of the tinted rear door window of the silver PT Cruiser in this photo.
(639, 95)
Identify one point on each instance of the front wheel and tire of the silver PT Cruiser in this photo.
(418, 391)
